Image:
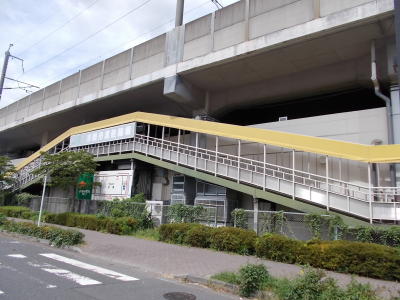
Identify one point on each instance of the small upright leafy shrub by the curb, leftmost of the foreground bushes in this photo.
(252, 278)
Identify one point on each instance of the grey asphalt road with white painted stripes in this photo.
(29, 270)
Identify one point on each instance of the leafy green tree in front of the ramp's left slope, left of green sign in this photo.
(65, 168)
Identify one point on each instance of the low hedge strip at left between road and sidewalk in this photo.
(56, 236)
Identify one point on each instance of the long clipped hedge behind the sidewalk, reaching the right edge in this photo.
(363, 259)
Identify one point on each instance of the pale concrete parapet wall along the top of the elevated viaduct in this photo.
(245, 20)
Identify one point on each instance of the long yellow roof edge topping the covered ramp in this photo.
(346, 150)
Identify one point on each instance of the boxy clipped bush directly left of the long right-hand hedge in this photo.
(232, 239)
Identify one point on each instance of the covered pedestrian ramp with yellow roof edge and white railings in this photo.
(240, 158)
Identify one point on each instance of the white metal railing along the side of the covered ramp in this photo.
(362, 201)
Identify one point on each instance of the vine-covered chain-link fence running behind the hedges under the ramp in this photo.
(295, 225)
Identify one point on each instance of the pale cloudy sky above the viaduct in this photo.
(57, 38)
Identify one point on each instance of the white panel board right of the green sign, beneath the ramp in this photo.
(113, 184)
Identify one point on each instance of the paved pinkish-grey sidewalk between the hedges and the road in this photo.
(174, 260)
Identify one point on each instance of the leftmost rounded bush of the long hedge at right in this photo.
(280, 248)
